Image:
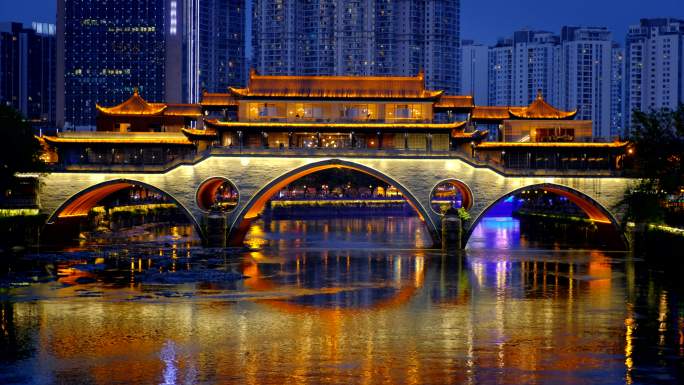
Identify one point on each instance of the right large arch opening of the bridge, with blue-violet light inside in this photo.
(543, 215)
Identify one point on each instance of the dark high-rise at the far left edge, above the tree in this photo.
(27, 70)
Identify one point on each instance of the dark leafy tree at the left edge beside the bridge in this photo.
(20, 150)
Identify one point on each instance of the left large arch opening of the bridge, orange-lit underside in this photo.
(114, 205)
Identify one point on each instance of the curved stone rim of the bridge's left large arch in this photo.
(80, 203)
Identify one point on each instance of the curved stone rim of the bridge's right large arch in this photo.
(594, 210)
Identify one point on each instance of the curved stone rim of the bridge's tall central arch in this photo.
(257, 202)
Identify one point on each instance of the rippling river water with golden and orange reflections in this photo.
(341, 301)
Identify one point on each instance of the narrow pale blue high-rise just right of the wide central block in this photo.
(475, 71)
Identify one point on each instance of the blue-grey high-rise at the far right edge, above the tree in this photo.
(654, 66)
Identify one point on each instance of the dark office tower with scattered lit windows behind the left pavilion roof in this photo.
(106, 49)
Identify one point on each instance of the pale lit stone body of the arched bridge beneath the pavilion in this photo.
(257, 178)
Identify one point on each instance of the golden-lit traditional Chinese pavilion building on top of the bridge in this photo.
(374, 115)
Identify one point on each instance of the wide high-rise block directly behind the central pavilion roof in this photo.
(362, 37)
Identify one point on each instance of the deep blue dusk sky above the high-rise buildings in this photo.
(482, 20)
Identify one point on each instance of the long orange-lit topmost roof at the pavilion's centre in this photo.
(336, 87)
